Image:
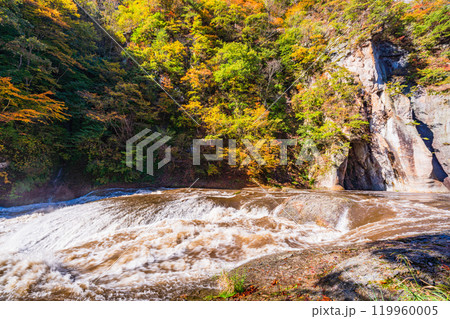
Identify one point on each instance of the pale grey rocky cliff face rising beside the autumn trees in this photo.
(410, 135)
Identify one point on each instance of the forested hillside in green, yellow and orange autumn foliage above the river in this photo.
(258, 69)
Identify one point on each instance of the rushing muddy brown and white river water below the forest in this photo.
(135, 245)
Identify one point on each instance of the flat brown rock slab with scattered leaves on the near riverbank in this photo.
(362, 272)
